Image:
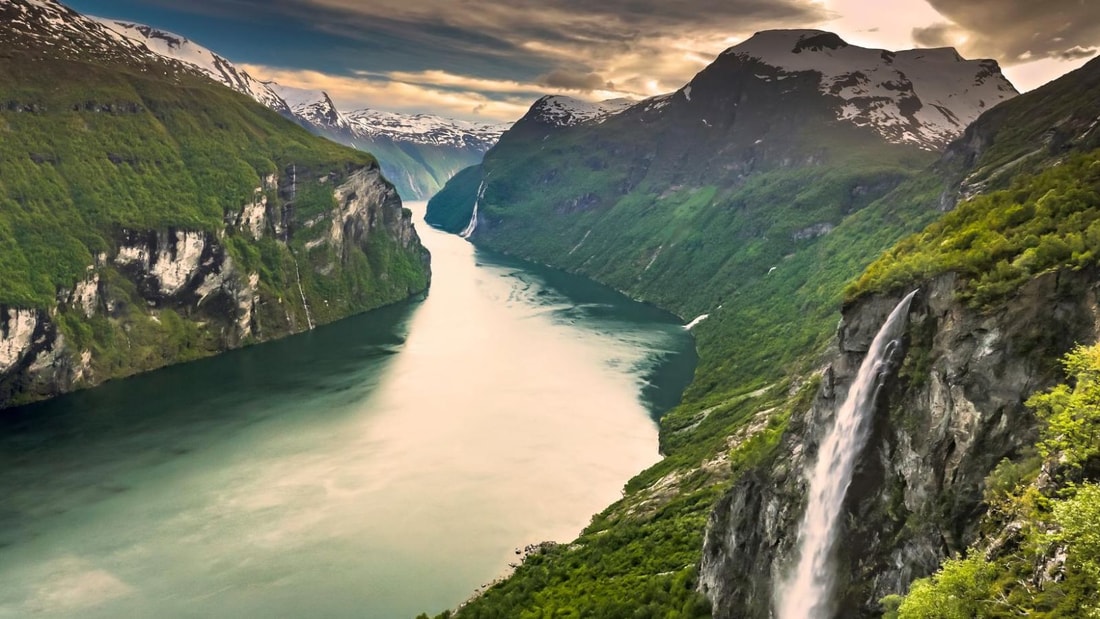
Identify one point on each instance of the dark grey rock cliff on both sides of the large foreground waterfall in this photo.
(952, 412)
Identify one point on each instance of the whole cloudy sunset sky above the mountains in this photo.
(488, 61)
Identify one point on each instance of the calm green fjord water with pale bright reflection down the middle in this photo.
(378, 468)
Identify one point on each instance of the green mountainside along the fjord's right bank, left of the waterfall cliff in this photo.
(692, 244)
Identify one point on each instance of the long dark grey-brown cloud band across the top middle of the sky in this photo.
(521, 38)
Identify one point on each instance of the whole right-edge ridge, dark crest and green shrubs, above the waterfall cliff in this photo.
(1040, 170)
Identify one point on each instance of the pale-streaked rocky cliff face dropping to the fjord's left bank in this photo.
(157, 286)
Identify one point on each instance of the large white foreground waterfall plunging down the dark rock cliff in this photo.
(806, 593)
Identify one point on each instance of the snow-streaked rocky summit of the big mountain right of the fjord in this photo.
(920, 97)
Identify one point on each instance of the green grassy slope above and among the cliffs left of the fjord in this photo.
(170, 152)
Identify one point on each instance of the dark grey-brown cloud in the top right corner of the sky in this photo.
(1016, 31)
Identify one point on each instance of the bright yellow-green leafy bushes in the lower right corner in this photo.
(1042, 554)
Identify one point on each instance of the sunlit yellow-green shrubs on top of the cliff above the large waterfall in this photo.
(999, 241)
